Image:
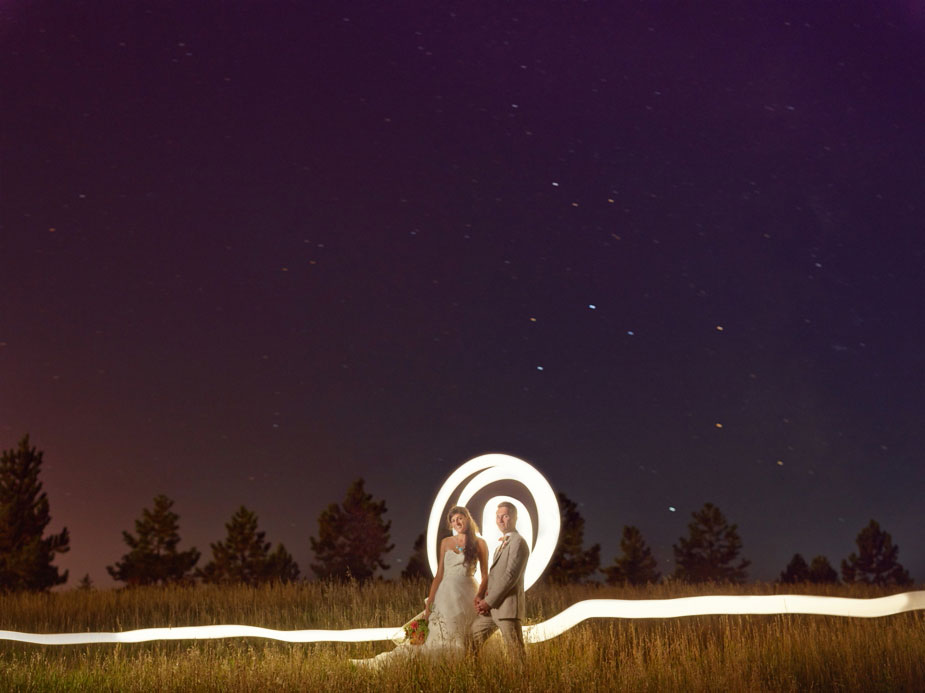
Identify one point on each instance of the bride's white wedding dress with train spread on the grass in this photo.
(451, 616)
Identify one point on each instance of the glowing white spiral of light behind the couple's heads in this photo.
(487, 469)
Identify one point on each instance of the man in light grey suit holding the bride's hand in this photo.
(503, 605)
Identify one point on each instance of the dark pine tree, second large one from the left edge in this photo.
(153, 558)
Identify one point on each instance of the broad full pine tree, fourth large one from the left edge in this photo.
(353, 538)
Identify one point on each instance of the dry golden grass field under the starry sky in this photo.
(716, 653)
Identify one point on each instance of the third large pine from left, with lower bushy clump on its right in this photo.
(244, 556)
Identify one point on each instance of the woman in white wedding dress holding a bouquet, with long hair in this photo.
(450, 605)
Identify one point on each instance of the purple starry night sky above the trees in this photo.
(668, 252)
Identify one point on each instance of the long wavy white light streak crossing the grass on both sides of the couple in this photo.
(539, 632)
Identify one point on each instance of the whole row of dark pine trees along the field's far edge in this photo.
(353, 541)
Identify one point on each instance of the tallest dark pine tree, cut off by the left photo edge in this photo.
(25, 556)
